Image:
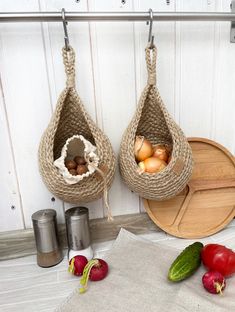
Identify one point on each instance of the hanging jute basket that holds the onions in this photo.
(153, 121)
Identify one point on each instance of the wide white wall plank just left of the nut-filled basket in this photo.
(26, 92)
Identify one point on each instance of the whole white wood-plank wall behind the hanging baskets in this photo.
(196, 77)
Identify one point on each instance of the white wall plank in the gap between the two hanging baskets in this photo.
(114, 75)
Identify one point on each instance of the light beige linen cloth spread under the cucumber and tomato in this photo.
(137, 282)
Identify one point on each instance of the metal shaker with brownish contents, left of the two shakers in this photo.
(46, 237)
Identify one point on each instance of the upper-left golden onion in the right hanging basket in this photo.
(143, 148)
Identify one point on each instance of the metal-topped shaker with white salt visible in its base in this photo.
(78, 232)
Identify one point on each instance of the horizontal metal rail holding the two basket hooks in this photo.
(113, 16)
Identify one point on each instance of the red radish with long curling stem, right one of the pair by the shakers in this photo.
(95, 270)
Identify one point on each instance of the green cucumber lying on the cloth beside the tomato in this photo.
(186, 263)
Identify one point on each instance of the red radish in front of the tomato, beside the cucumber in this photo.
(214, 282)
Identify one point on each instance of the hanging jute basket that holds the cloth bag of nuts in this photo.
(71, 119)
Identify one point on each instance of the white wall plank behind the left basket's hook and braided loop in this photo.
(80, 40)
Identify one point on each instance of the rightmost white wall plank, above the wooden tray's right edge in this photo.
(223, 128)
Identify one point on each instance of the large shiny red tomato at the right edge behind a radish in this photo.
(218, 258)
